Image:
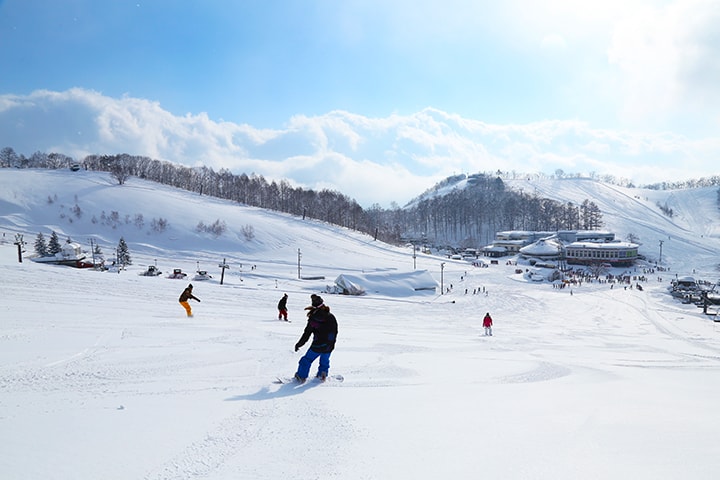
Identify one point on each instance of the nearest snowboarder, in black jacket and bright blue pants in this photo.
(322, 325)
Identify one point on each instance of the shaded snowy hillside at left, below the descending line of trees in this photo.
(34, 201)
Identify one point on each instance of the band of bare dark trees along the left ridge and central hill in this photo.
(451, 217)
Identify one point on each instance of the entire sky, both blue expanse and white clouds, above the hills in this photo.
(589, 86)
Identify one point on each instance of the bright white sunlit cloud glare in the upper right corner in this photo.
(669, 59)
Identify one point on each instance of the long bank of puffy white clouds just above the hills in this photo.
(374, 160)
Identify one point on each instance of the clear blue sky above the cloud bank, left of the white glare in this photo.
(263, 61)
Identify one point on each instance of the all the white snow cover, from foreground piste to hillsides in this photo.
(102, 376)
